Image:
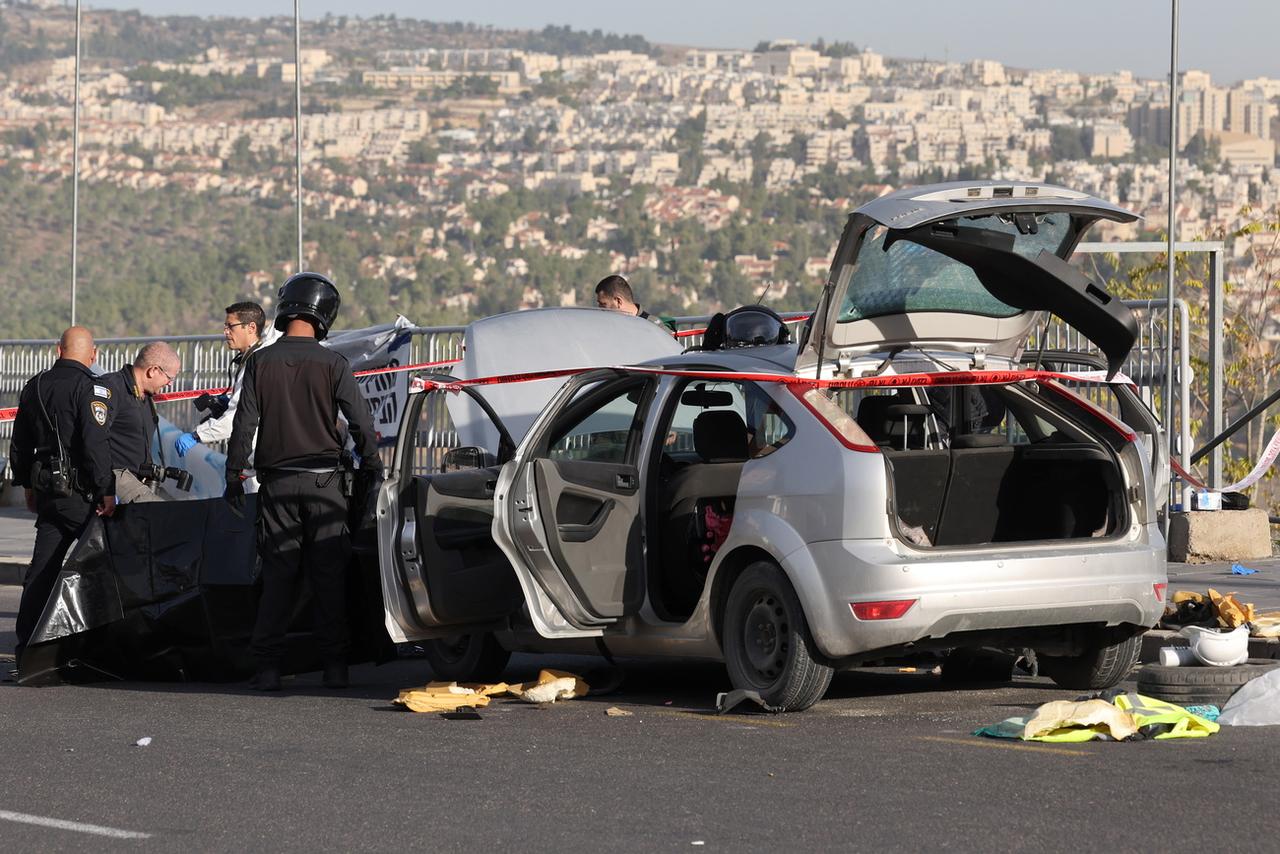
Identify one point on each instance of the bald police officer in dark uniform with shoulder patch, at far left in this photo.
(61, 456)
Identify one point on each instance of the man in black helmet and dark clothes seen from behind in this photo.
(294, 394)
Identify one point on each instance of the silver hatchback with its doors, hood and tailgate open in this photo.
(895, 482)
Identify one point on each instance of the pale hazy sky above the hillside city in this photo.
(1231, 39)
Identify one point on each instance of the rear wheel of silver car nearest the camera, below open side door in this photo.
(767, 645)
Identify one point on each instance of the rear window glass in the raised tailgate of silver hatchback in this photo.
(913, 278)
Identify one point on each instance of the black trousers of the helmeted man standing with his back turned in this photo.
(303, 528)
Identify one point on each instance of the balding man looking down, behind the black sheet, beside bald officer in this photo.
(132, 422)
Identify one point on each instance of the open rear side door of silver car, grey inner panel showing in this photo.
(570, 506)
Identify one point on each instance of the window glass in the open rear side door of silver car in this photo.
(602, 426)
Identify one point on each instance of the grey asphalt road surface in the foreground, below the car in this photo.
(886, 762)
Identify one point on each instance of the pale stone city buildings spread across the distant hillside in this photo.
(500, 118)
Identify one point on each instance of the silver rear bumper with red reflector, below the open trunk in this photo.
(971, 592)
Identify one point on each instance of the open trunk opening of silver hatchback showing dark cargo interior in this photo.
(975, 465)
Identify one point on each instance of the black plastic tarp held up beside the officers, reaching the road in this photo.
(168, 591)
